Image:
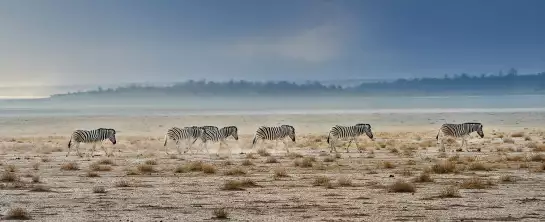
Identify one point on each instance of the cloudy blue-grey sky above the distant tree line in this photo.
(102, 41)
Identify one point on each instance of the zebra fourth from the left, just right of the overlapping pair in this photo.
(275, 133)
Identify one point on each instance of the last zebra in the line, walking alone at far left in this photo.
(91, 136)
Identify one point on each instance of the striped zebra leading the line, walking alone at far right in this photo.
(459, 130)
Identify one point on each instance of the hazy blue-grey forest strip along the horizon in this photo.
(462, 84)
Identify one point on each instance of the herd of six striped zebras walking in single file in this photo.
(214, 134)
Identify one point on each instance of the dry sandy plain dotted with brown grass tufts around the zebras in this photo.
(500, 178)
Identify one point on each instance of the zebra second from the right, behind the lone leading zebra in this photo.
(338, 132)
